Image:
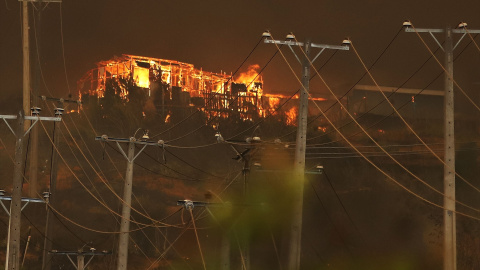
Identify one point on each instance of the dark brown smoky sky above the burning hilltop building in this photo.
(217, 35)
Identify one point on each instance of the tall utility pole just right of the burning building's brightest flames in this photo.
(299, 163)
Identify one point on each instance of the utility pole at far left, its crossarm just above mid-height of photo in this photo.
(13, 246)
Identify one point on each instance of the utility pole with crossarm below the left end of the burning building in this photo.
(127, 190)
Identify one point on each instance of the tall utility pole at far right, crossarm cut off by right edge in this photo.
(449, 217)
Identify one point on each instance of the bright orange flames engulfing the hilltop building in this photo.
(182, 85)
